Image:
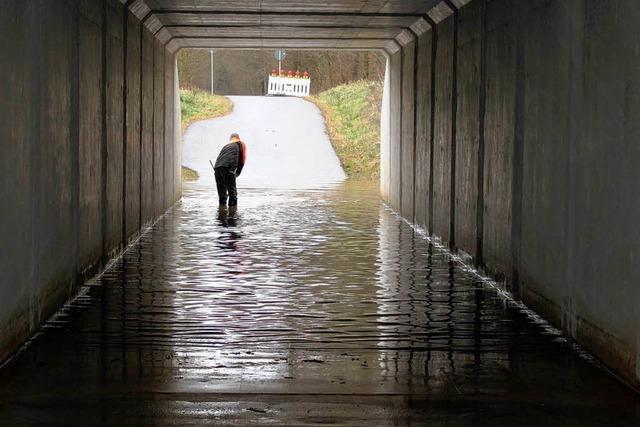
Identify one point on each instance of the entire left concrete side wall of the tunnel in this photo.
(75, 149)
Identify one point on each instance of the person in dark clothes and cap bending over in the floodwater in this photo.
(228, 167)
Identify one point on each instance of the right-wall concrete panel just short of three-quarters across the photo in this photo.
(468, 127)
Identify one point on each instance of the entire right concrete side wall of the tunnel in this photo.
(525, 155)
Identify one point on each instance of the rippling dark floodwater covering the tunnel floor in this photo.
(304, 307)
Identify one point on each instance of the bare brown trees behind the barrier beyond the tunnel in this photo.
(243, 72)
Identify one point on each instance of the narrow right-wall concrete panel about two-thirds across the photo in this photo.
(423, 129)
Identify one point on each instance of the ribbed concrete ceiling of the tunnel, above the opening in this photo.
(303, 24)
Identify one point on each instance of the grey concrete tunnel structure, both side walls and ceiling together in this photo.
(509, 133)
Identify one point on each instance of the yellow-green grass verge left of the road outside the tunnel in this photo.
(198, 105)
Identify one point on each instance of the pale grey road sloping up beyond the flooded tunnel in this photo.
(287, 144)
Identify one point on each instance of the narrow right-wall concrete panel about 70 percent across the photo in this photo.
(442, 149)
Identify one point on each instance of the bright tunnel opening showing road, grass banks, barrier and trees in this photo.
(327, 133)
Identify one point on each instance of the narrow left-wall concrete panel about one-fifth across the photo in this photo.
(132, 193)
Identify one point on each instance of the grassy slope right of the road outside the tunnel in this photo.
(352, 117)
